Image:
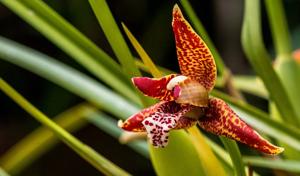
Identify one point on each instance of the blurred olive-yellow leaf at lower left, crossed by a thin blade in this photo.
(25, 152)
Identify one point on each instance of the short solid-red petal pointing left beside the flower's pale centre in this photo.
(155, 87)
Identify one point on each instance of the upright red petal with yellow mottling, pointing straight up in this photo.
(195, 58)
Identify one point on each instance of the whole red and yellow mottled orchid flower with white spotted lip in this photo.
(185, 98)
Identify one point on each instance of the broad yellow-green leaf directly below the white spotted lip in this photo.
(178, 158)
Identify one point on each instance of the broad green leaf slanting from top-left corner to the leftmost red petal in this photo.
(74, 43)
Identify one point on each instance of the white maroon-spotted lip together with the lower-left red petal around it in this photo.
(158, 120)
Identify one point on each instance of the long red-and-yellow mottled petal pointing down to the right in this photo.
(221, 120)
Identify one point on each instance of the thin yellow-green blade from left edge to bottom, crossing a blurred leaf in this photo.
(87, 153)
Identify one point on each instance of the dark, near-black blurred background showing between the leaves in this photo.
(150, 22)
